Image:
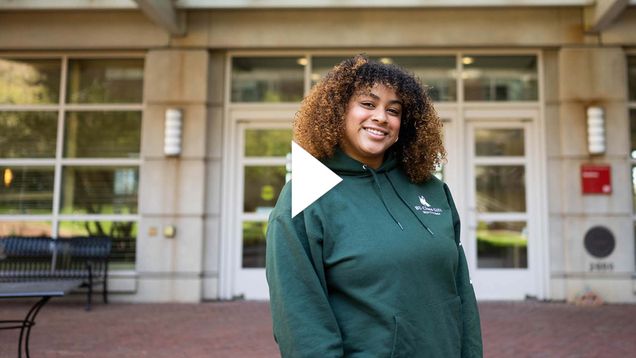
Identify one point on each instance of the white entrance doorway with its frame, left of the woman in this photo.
(260, 169)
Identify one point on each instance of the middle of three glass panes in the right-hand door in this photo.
(500, 188)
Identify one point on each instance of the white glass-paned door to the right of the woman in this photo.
(501, 226)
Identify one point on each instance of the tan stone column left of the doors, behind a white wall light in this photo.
(173, 190)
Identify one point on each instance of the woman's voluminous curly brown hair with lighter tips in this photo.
(320, 122)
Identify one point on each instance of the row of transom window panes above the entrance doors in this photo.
(499, 78)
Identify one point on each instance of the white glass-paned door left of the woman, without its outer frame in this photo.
(263, 168)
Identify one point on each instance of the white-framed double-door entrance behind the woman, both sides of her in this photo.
(492, 171)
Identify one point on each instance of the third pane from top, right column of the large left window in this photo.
(99, 190)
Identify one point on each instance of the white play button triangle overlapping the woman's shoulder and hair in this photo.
(310, 179)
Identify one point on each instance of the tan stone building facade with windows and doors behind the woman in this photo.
(523, 91)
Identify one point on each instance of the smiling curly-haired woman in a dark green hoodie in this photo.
(374, 268)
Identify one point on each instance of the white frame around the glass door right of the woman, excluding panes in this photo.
(536, 208)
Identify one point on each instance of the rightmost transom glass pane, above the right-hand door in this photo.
(500, 78)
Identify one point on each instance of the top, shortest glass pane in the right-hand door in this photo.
(499, 142)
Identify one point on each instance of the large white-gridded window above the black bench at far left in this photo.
(70, 135)
